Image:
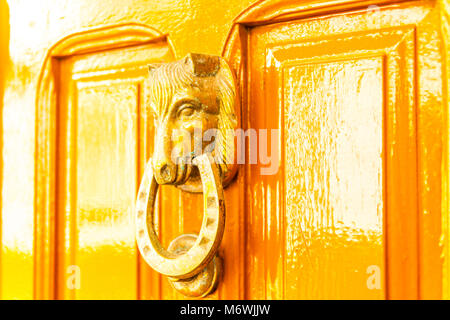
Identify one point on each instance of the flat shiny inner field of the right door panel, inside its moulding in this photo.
(333, 178)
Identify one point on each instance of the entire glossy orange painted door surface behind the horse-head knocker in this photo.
(358, 93)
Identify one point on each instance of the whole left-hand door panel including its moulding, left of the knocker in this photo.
(100, 159)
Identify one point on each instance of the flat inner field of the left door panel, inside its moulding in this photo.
(104, 193)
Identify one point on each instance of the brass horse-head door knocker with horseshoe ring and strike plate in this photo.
(193, 100)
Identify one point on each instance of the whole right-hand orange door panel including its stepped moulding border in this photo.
(343, 207)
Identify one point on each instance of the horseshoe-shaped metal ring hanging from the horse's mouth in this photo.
(205, 248)
